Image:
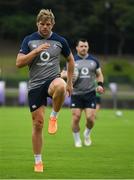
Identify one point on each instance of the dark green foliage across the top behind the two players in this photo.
(96, 20)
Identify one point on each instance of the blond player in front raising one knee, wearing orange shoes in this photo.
(41, 52)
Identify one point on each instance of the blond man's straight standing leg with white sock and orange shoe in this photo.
(38, 121)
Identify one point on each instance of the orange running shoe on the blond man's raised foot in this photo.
(52, 127)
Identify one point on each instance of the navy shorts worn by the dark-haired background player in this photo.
(83, 101)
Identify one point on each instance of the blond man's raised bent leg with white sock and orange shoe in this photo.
(57, 90)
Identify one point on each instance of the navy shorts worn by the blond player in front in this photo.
(38, 96)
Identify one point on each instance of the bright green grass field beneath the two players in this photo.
(111, 155)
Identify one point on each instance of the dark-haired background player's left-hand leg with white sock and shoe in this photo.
(76, 115)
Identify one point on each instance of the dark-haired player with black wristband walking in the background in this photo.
(84, 92)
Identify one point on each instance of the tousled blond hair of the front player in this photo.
(45, 15)
